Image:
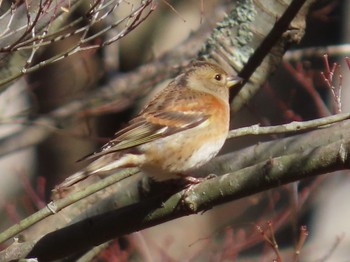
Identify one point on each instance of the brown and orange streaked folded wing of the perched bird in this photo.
(154, 122)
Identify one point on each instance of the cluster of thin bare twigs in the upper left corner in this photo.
(36, 33)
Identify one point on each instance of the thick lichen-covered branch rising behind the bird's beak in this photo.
(253, 39)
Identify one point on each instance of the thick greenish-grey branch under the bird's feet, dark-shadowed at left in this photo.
(265, 175)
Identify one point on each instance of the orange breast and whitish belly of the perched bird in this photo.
(191, 148)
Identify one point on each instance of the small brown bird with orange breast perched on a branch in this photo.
(181, 129)
